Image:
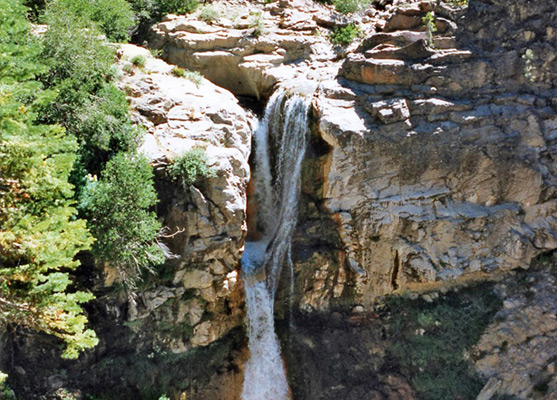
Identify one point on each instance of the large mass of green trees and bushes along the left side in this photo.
(63, 122)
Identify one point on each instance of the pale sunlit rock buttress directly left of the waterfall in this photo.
(204, 223)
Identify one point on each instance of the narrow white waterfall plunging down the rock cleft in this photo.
(280, 143)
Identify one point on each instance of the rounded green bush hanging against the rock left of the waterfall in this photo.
(117, 206)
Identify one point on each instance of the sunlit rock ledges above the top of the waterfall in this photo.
(250, 47)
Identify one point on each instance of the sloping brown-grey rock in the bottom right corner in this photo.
(518, 350)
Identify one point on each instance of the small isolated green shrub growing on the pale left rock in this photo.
(191, 166)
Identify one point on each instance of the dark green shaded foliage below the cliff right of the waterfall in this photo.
(431, 341)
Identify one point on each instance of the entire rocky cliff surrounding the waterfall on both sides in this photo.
(429, 178)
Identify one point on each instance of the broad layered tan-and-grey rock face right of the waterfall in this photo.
(441, 165)
